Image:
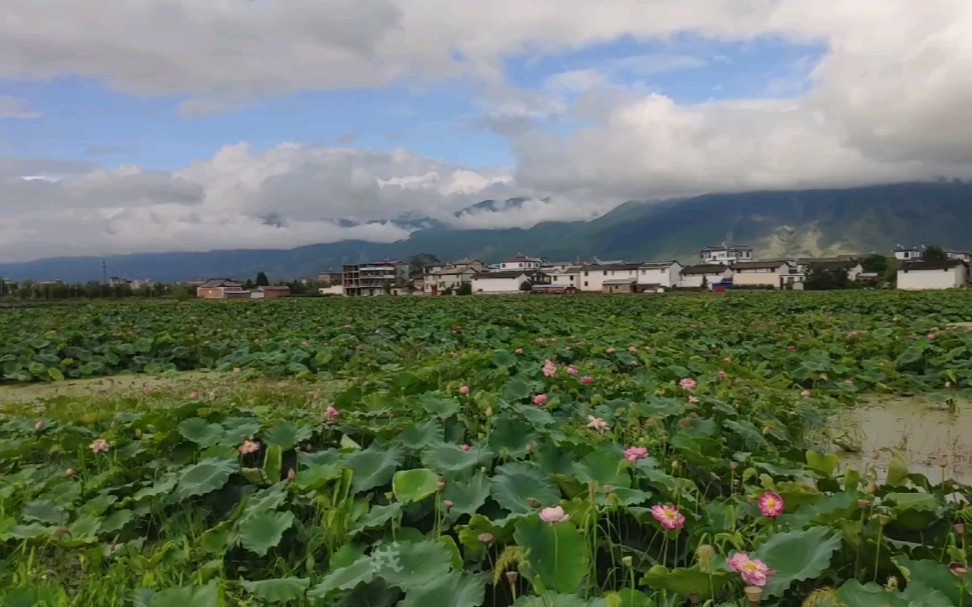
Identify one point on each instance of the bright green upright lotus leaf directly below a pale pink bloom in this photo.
(557, 554)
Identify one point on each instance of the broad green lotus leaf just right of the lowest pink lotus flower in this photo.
(796, 556)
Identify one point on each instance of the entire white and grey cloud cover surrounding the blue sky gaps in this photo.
(888, 101)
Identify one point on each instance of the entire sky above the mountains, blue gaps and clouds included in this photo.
(133, 126)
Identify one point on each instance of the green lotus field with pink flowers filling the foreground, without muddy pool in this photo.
(457, 452)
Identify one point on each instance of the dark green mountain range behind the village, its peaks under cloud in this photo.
(776, 224)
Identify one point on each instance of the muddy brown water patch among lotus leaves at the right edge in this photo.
(924, 433)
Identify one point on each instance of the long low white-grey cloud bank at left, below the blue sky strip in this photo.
(317, 194)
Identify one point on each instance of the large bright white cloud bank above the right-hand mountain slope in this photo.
(887, 103)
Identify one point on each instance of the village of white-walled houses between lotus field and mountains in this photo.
(719, 269)
